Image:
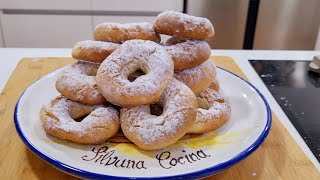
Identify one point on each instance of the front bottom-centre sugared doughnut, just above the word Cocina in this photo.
(152, 132)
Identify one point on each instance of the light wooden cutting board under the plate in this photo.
(279, 157)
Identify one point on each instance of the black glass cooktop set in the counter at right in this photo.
(297, 91)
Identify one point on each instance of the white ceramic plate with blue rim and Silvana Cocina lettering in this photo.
(196, 157)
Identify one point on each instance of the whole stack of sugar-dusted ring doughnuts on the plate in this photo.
(126, 80)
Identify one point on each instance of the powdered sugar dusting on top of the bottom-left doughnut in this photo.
(58, 115)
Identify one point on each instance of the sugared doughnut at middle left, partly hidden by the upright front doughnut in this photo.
(78, 83)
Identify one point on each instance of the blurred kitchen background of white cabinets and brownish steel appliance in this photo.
(239, 24)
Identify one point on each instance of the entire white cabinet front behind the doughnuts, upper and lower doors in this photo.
(62, 23)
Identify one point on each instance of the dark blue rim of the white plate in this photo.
(197, 174)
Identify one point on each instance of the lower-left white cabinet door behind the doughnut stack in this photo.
(45, 31)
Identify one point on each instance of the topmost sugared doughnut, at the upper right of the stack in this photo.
(178, 24)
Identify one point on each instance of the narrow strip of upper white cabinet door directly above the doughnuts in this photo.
(137, 5)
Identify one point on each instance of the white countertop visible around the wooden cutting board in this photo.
(9, 57)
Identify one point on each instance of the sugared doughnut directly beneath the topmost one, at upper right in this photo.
(188, 54)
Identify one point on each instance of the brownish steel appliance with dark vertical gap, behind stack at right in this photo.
(260, 24)
